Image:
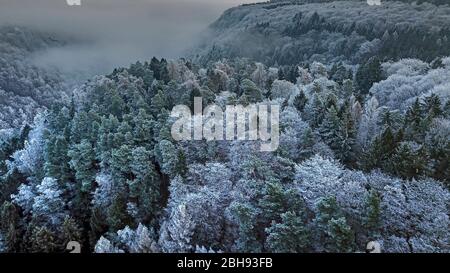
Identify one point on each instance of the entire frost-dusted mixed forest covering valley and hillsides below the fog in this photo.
(364, 139)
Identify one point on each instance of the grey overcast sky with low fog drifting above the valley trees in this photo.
(115, 32)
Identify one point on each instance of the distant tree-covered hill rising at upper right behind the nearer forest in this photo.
(289, 32)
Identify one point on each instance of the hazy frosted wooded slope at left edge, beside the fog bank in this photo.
(25, 89)
